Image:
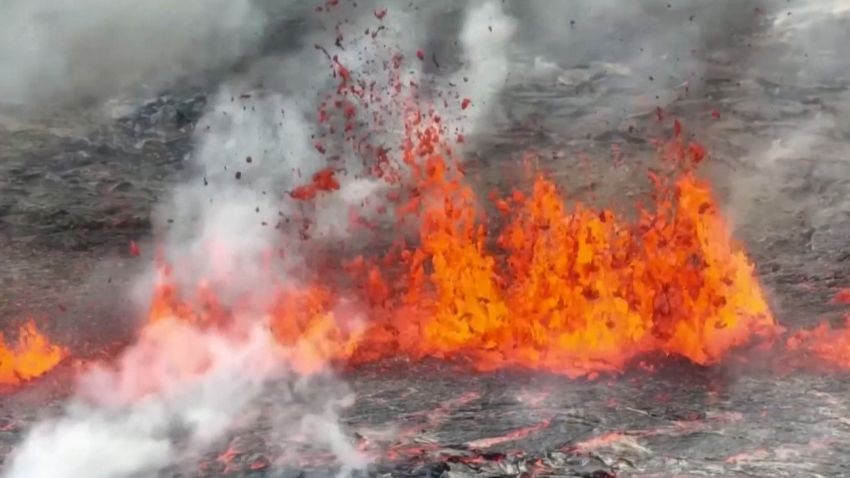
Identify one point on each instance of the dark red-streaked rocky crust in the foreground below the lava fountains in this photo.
(677, 420)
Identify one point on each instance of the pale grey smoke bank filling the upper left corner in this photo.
(57, 51)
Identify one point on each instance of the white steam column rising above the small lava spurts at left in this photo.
(249, 152)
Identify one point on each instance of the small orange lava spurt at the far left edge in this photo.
(32, 356)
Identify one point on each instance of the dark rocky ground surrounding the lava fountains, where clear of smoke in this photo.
(74, 191)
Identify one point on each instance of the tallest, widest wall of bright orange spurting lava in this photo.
(580, 290)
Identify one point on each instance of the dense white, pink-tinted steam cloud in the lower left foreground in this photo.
(125, 419)
